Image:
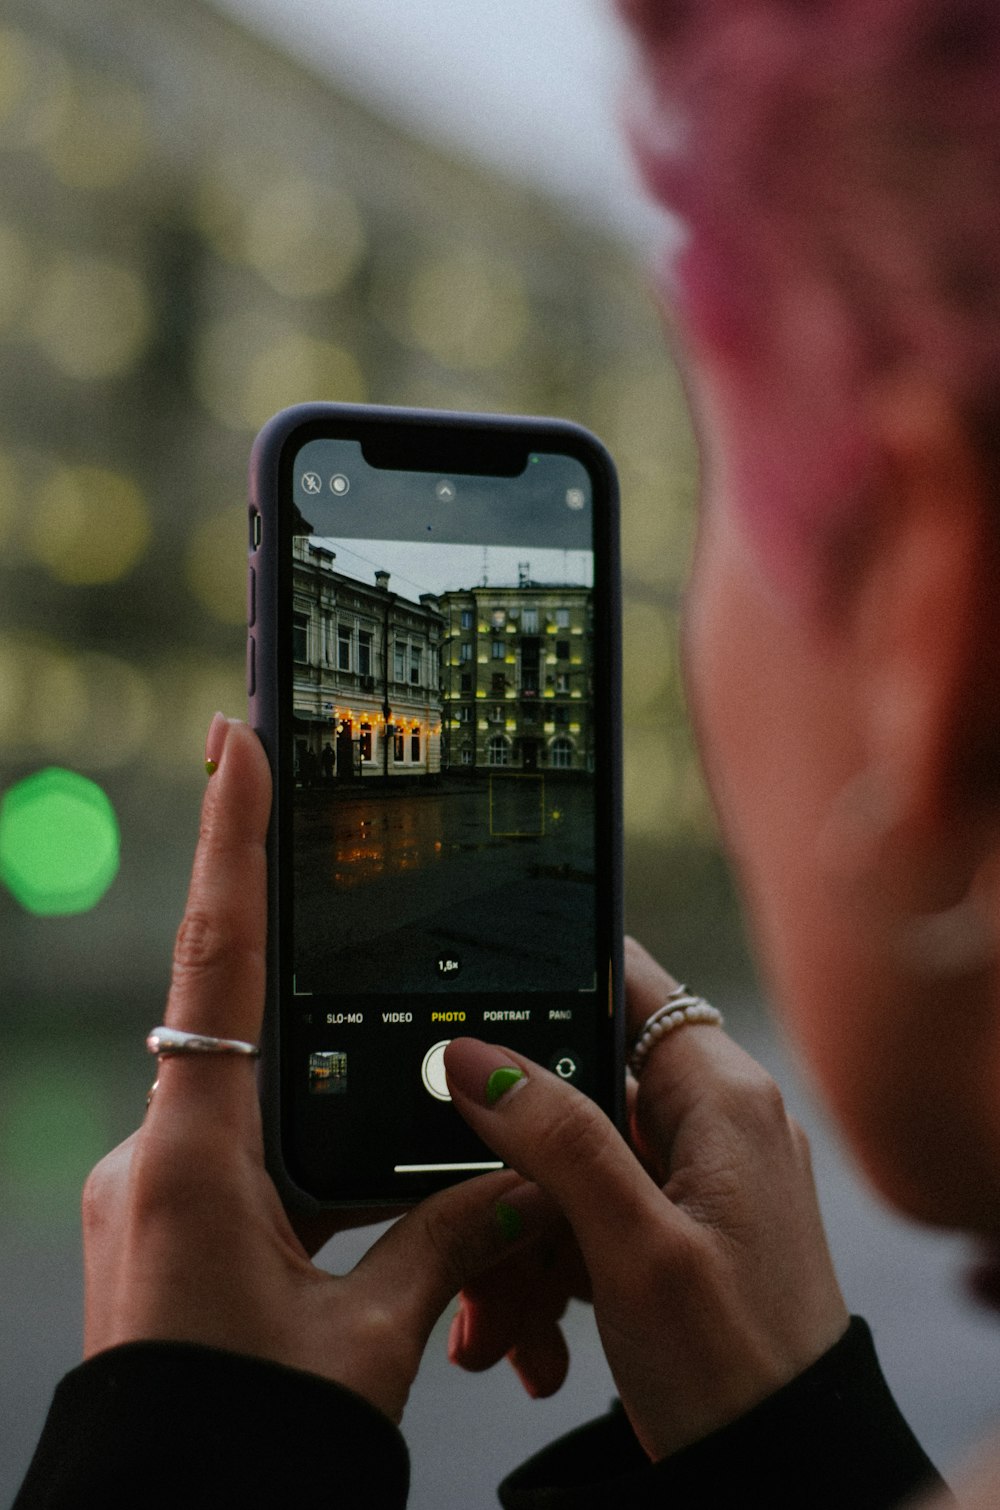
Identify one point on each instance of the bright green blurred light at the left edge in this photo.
(60, 843)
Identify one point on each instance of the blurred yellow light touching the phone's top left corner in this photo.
(248, 369)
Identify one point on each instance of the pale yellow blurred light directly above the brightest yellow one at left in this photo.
(93, 318)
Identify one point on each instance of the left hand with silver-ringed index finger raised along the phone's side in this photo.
(185, 1236)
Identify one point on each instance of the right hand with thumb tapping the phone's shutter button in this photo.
(708, 1263)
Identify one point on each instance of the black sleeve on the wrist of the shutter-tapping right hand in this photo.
(832, 1440)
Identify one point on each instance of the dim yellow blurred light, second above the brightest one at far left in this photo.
(102, 138)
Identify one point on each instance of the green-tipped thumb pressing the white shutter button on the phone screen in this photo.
(557, 1138)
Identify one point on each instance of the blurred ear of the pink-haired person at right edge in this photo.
(921, 617)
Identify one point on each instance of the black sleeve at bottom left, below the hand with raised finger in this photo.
(170, 1426)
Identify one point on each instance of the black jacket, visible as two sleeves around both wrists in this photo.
(168, 1425)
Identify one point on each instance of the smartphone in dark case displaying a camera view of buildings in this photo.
(434, 671)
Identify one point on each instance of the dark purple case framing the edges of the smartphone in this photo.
(289, 428)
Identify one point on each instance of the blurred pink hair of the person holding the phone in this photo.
(838, 168)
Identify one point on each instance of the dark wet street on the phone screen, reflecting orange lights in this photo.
(499, 872)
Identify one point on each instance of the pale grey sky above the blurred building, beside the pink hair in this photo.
(534, 88)
